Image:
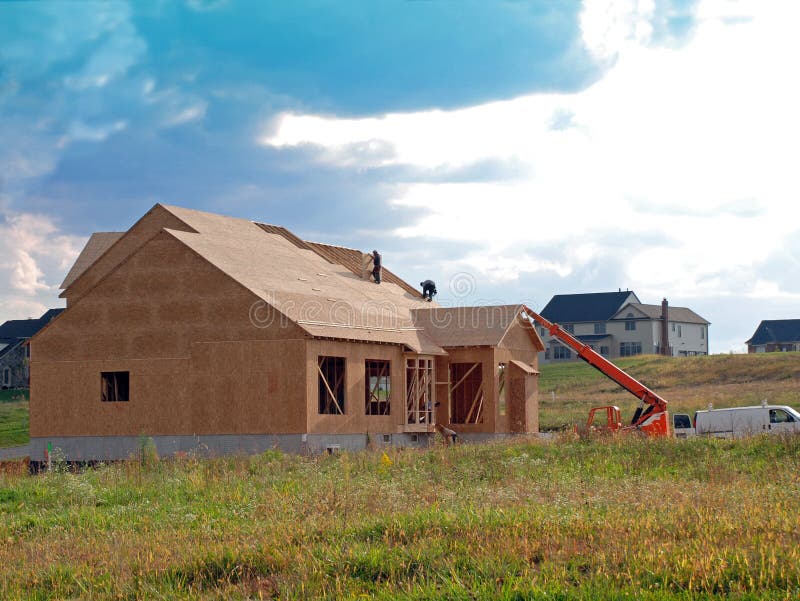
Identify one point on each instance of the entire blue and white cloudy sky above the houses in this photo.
(509, 150)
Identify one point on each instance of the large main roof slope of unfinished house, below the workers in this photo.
(325, 298)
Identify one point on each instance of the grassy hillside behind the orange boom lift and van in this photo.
(568, 391)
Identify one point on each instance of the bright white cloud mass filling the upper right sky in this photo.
(674, 167)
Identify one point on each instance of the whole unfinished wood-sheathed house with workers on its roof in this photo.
(216, 333)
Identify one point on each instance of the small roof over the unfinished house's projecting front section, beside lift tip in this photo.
(471, 326)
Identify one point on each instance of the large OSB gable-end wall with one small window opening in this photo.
(148, 317)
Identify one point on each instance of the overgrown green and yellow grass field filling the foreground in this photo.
(565, 519)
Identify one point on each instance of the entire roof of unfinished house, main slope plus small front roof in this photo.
(319, 286)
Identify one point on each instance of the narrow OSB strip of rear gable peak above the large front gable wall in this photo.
(140, 233)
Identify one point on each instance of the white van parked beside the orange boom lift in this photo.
(738, 421)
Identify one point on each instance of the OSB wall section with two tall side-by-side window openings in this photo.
(354, 419)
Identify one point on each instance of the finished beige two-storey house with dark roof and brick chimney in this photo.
(618, 324)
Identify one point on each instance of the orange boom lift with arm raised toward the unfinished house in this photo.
(651, 416)
